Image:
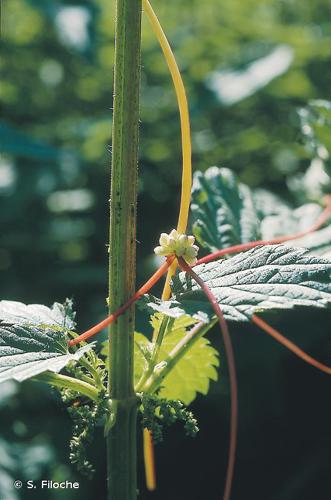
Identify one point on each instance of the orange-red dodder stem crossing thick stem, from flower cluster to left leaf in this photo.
(144, 289)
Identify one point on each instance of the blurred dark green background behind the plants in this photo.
(248, 65)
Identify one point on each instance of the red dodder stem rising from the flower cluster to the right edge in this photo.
(281, 239)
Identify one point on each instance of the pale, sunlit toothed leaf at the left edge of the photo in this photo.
(34, 339)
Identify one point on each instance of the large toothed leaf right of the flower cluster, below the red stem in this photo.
(266, 277)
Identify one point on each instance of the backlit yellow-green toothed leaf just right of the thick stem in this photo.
(192, 374)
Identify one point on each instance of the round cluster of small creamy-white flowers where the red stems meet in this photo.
(178, 244)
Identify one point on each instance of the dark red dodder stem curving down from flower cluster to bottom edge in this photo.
(232, 375)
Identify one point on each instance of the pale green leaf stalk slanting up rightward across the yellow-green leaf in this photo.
(165, 367)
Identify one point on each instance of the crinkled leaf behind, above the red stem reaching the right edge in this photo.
(227, 213)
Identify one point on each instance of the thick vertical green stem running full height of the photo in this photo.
(122, 437)
